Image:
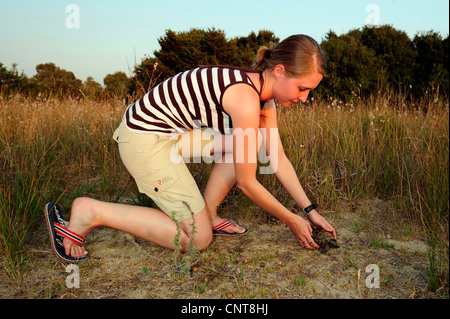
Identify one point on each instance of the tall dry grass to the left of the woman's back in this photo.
(49, 148)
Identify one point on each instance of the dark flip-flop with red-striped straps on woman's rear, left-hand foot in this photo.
(57, 229)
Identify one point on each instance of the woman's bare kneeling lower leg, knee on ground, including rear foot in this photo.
(147, 223)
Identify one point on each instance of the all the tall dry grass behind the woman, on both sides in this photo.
(382, 147)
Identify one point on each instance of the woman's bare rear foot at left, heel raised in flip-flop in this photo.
(80, 223)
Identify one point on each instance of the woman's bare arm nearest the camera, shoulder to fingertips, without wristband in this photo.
(242, 104)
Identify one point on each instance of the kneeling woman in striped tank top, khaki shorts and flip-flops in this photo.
(231, 102)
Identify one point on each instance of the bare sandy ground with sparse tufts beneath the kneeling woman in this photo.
(267, 263)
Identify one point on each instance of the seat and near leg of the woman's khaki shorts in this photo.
(155, 163)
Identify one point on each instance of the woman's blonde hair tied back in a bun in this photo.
(299, 54)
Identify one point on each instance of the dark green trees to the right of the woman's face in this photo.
(367, 60)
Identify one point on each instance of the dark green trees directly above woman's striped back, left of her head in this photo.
(182, 51)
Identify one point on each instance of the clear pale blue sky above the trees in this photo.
(100, 37)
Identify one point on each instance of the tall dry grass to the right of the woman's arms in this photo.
(378, 148)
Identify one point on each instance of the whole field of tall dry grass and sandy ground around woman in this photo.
(378, 169)
